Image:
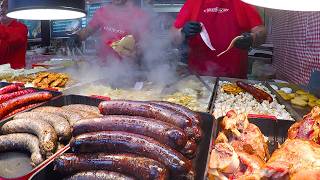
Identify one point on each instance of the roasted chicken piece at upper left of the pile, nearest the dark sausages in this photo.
(243, 136)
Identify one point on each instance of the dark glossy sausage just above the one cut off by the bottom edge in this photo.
(135, 166)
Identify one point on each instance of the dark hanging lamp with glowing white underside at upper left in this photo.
(46, 9)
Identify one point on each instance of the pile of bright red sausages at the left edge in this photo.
(14, 99)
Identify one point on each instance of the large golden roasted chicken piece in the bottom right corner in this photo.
(292, 158)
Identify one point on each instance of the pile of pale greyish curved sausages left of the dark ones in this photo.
(43, 130)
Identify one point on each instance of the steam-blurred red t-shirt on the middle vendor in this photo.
(116, 22)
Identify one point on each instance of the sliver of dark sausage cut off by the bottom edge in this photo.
(98, 175)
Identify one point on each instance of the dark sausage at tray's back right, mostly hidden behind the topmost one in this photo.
(193, 116)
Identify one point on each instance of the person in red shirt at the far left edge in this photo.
(13, 39)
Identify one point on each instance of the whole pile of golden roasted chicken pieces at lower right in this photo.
(240, 150)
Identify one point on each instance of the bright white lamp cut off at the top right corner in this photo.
(291, 5)
